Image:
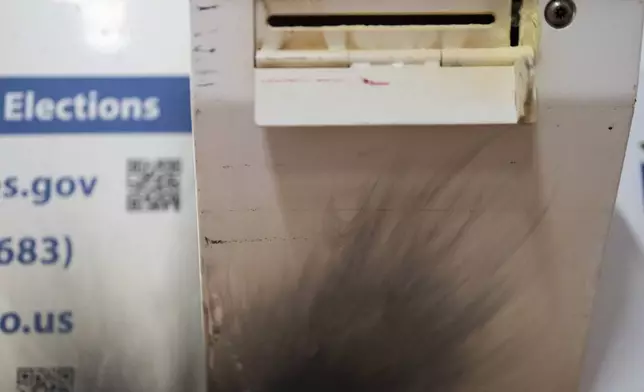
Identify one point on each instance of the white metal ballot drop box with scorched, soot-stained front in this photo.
(407, 195)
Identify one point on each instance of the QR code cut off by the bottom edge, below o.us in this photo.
(41, 379)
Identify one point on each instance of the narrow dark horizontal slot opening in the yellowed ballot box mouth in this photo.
(337, 20)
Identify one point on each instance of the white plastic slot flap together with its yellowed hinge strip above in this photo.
(417, 87)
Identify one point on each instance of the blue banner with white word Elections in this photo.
(90, 105)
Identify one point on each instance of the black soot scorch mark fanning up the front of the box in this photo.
(379, 305)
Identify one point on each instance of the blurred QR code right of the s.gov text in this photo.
(153, 185)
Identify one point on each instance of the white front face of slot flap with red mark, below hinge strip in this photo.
(386, 95)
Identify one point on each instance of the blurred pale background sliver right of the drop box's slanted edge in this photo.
(616, 349)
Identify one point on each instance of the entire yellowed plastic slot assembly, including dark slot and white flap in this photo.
(307, 55)
